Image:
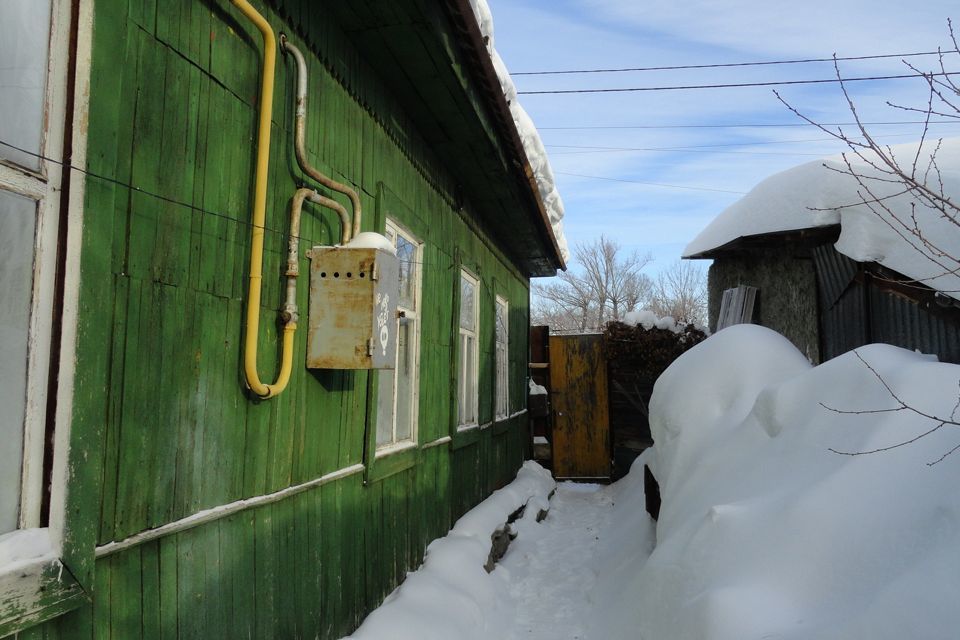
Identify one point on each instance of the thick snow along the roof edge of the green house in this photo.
(529, 136)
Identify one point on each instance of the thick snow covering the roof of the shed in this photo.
(822, 193)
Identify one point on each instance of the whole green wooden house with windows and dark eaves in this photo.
(155, 480)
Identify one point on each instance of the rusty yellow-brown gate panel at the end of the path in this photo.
(581, 421)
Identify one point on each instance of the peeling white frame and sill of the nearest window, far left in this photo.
(34, 578)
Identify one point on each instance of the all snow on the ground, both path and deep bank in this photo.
(769, 528)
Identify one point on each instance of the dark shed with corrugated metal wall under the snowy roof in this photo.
(827, 303)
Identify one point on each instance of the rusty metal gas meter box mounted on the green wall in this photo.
(353, 308)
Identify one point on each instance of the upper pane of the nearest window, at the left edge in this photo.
(24, 35)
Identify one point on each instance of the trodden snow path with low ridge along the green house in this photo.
(555, 581)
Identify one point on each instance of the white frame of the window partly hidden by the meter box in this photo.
(395, 230)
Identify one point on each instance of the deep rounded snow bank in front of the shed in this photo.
(766, 533)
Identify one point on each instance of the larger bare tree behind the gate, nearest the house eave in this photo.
(606, 285)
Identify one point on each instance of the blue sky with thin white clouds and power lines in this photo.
(586, 134)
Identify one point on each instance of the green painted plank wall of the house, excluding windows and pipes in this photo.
(173, 114)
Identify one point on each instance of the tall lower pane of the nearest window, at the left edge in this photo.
(17, 220)
